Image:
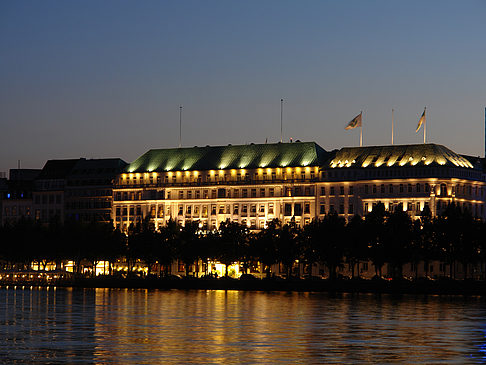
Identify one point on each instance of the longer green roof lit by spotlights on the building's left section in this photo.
(231, 157)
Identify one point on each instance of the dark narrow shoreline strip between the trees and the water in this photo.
(431, 287)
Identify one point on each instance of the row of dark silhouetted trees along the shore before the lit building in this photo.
(455, 239)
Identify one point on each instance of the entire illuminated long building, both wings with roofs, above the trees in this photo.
(300, 181)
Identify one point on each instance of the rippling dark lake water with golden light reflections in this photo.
(120, 326)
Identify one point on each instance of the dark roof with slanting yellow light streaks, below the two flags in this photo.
(398, 155)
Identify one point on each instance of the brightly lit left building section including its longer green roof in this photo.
(251, 184)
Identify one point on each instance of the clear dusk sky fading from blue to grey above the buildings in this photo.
(105, 78)
